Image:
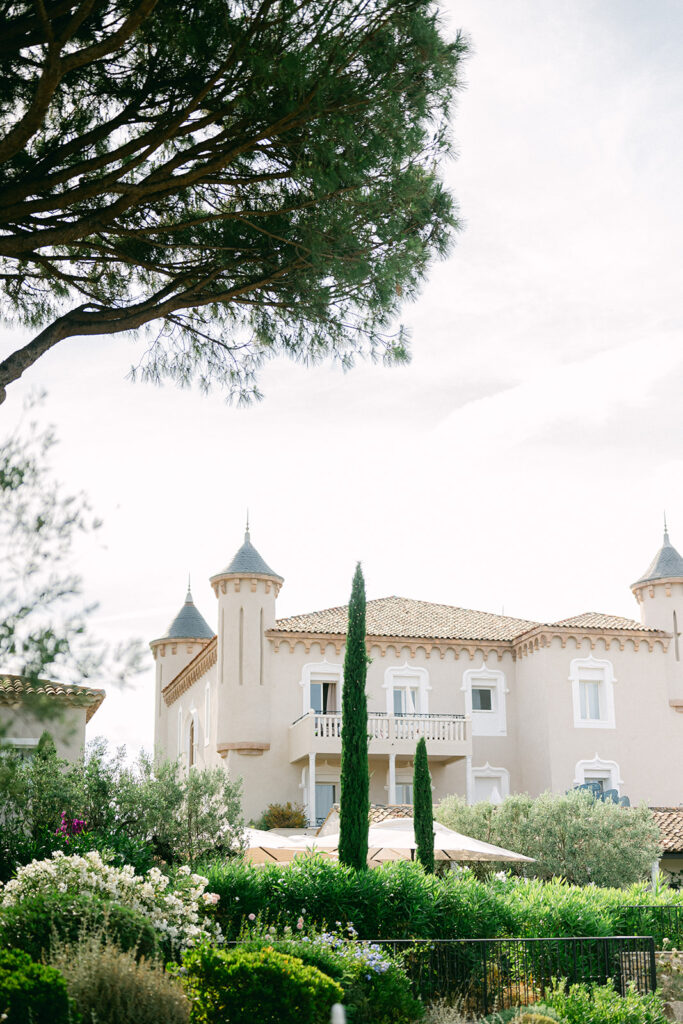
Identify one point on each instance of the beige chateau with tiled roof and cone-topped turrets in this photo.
(506, 705)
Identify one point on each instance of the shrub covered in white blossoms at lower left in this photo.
(179, 915)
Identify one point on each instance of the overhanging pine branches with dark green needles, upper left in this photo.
(258, 180)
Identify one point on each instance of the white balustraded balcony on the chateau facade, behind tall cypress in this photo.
(448, 737)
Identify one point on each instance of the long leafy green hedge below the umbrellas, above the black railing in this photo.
(401, 902)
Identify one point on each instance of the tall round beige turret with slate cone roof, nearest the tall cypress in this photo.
(246, 590)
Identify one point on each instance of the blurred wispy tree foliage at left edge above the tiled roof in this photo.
(44, 620)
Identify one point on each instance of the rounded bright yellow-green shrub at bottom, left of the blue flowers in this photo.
(243, 987)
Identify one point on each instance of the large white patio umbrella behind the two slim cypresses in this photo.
(395, 840)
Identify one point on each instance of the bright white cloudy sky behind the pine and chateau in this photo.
(522, 462)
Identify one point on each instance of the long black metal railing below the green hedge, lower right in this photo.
(497, 974)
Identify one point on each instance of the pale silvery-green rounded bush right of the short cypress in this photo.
(573, 835)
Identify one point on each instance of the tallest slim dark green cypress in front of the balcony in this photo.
(355, 798)
